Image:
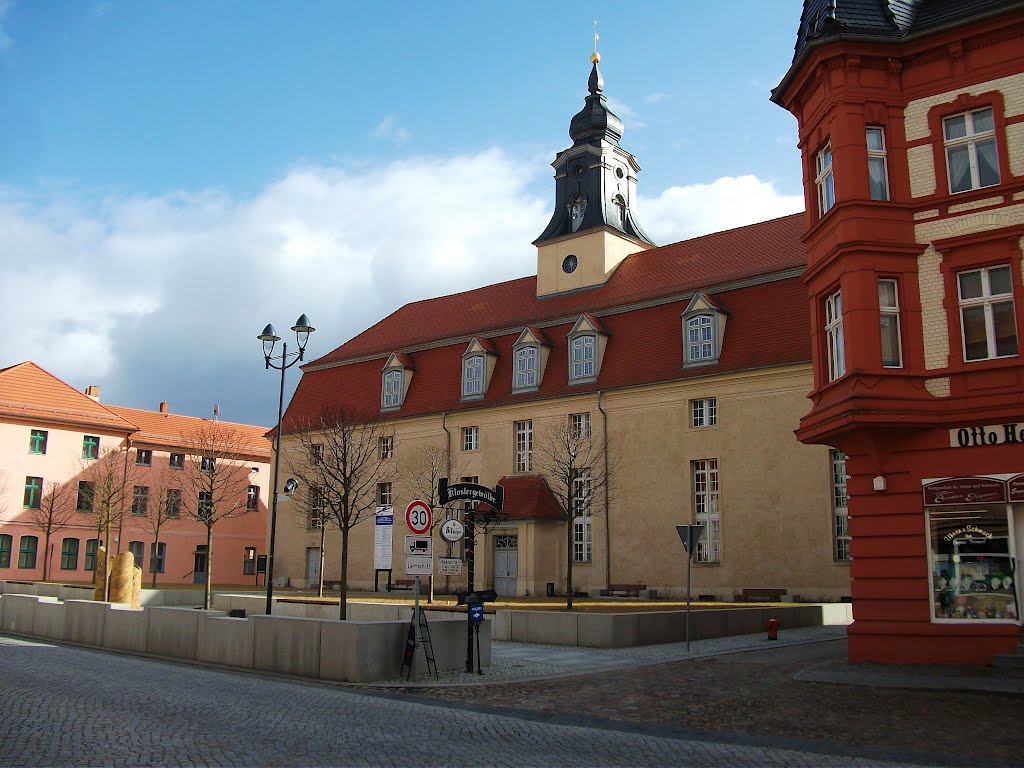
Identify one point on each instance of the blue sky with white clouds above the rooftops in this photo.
(174, 177)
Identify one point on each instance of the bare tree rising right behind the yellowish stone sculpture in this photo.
(106, 485)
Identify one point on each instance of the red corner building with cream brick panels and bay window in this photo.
(912, 136)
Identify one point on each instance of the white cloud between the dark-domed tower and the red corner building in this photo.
(682, 212)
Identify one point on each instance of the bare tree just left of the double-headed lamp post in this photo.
(216, 482)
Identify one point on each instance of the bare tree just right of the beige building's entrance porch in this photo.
(579, 471)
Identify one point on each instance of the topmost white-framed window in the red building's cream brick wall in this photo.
(972, 161)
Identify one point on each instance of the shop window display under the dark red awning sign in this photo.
(972, 569)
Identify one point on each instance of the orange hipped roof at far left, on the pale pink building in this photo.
(28, 392)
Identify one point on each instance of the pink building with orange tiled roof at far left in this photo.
(54, 438)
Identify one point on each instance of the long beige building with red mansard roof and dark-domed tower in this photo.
(689, 364)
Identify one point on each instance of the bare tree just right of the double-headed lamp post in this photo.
(339, 457)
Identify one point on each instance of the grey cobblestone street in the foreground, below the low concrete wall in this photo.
(64, 706)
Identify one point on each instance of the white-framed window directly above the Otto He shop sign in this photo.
(987, 308)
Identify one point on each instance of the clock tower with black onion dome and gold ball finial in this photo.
(593, 228)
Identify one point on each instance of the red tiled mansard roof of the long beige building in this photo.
(769, 325)
